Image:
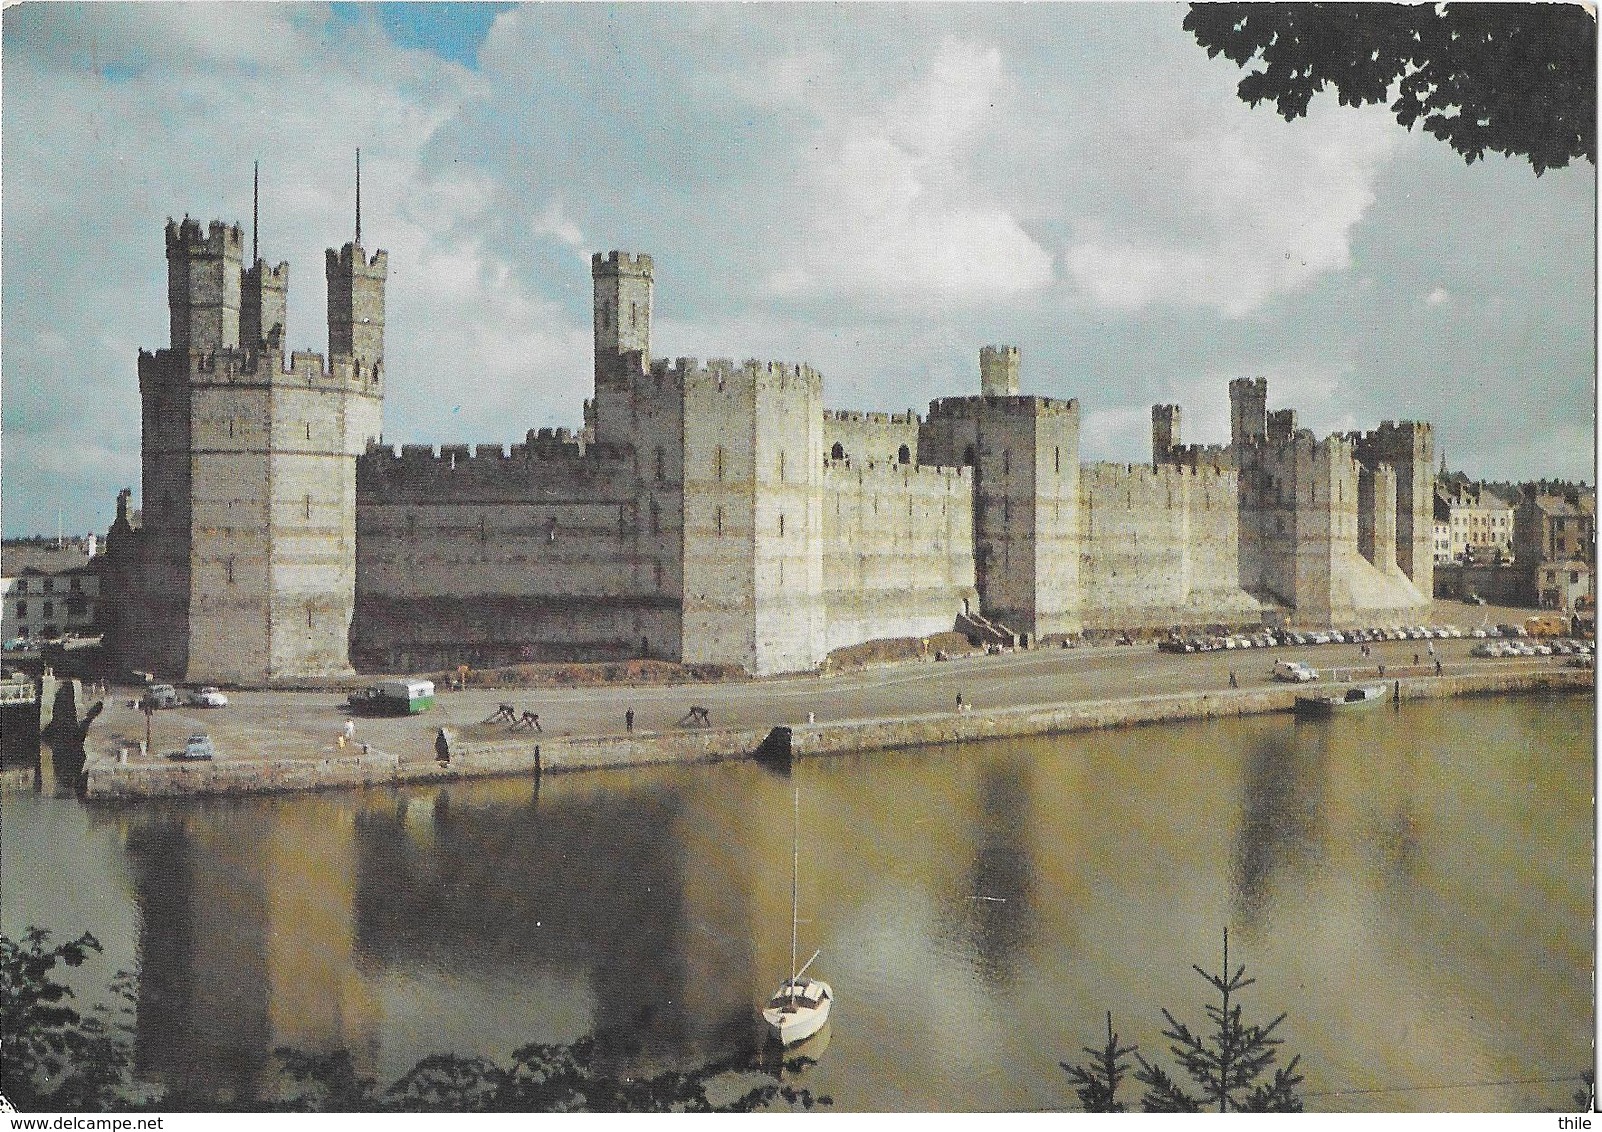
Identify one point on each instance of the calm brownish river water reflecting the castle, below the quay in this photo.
(1412, 888)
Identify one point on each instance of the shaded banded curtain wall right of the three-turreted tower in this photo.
(489, 556)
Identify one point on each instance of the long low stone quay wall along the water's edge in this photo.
(107, 781)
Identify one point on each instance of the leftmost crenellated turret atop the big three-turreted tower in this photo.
(203, 284)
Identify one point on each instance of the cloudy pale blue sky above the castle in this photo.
(874, 190)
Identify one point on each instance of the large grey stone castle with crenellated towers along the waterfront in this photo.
(707, 513)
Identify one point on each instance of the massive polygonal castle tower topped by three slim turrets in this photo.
(246, 563)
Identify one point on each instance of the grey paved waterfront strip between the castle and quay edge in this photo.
(307, 725)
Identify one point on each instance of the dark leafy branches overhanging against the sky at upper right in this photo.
(1515, 79)
